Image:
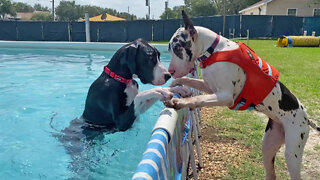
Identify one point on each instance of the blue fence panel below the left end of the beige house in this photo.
(259, 26)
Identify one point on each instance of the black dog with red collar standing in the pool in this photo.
(113, 101)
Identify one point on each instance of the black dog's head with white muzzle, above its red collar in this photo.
(143, 60)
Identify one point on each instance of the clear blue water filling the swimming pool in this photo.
(42, 86)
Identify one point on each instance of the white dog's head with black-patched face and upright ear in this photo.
(182, 48)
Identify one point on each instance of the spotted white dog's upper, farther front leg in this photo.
(194, 83)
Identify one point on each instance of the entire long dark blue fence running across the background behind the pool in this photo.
(157, 30)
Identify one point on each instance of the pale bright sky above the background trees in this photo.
(136, 7)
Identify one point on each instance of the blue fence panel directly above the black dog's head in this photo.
(139, 29)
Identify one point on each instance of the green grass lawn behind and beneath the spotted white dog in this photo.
(300, 71)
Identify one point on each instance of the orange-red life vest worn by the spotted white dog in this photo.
(261, 77)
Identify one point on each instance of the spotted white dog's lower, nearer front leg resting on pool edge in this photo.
(218, 99)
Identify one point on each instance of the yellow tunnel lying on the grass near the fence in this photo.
(298, 41)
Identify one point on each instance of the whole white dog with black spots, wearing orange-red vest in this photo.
(234, 76)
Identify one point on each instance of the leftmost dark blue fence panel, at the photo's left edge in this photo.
(8, 30)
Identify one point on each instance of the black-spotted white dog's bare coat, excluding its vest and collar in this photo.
(223, 82)
